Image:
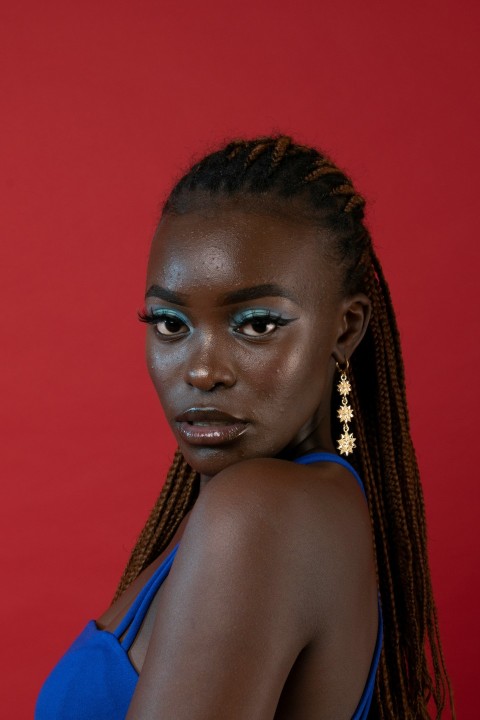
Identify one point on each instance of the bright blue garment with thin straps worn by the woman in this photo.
(95, 679)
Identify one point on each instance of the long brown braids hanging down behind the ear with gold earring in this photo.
(407, 596)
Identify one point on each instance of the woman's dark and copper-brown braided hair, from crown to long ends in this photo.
(275, 168)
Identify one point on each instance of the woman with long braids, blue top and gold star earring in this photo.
(263, 585)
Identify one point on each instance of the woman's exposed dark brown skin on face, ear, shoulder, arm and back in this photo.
(270, 608)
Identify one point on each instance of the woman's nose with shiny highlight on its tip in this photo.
(210, 366)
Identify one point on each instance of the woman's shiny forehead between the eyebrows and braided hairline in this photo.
(224, 247)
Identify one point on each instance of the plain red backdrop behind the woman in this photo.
(102, 105)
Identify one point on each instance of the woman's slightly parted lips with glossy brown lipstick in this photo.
(209, 426)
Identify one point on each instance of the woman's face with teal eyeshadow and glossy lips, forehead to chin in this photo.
(245, 314)
